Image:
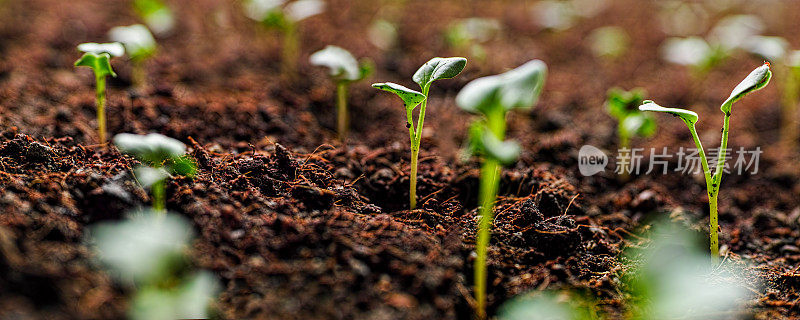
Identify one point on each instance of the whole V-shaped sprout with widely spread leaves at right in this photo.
(756, 80)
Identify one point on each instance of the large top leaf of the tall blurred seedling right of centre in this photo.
(518, 88)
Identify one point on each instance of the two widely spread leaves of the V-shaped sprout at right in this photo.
(754, 81)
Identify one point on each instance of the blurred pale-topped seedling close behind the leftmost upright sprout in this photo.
(139, 45)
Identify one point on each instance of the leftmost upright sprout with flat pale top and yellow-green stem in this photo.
(98, 57)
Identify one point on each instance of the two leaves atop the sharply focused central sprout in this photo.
(435, 69)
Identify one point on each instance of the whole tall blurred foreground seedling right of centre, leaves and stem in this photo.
(493, 97)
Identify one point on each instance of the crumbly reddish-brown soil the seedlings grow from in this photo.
(299, 226)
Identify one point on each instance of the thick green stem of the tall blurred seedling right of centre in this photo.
(489, 184)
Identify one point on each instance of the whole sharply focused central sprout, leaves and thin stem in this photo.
(435, 69)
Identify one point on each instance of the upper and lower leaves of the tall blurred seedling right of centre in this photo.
(494, 96)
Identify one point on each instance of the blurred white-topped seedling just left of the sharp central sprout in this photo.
(344, 69)
